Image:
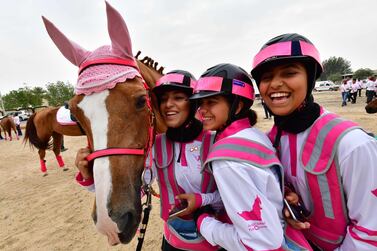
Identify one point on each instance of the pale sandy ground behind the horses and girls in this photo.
(53, 212)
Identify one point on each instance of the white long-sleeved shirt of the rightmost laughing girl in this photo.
(357, 155)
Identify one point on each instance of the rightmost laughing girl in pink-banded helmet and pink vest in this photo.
(330, 162)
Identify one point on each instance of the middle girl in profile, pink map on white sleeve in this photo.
(244, 165)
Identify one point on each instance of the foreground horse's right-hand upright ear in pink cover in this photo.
(118, 32)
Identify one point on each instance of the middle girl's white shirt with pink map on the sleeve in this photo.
(239, 184)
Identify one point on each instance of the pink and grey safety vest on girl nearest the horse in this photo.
(164, 156)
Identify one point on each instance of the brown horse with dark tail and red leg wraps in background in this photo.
(44, 132)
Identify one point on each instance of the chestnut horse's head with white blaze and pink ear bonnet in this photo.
(113, 107)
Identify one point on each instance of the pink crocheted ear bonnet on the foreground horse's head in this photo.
(104, 67)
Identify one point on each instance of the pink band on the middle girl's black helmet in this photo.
(210, 86)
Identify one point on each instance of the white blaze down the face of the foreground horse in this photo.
(94, 108)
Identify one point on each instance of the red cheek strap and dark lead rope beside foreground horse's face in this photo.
(147, 188)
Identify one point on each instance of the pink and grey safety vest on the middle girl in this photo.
(256, 154)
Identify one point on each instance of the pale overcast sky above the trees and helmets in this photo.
(192, 35)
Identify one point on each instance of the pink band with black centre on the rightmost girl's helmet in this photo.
(286, 50)
